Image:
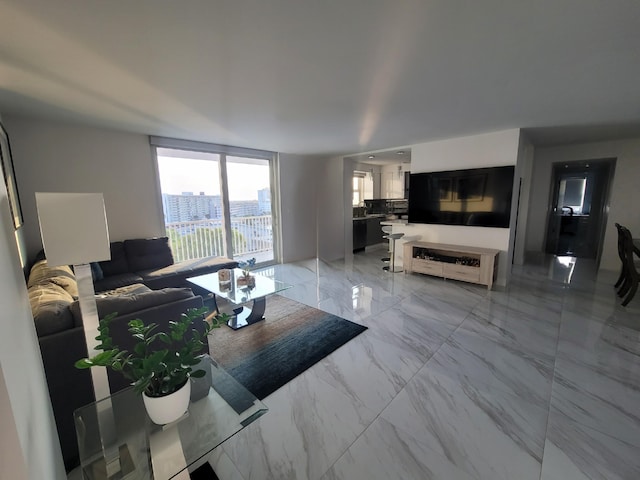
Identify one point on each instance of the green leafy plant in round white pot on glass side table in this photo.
(161, 363)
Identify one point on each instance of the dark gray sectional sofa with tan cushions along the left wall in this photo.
(141, 281)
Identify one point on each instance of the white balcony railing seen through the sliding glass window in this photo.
(251, 236)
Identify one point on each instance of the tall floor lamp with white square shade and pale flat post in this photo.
(74, 232)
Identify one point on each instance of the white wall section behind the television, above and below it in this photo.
(486, 150)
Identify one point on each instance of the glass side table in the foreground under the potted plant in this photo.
(219, 408)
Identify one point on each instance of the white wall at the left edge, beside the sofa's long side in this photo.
(22, 369)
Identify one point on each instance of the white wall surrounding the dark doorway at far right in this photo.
(623, 200)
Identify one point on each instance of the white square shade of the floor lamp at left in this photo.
(73, 227)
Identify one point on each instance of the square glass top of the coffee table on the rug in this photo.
(235, 290)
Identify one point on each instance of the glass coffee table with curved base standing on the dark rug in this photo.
(239, 294)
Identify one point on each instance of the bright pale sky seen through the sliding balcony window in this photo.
(178, 175)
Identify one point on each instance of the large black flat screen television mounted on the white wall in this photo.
(478, 197)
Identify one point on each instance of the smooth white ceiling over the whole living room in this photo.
(326, 76)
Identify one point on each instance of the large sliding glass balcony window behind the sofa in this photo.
(217, 200)
